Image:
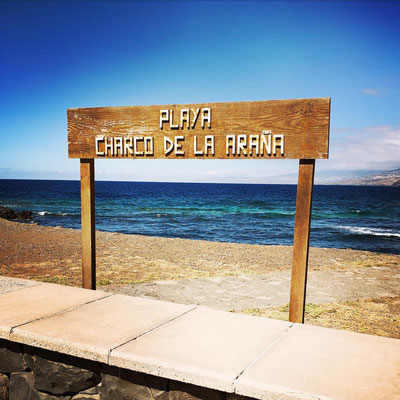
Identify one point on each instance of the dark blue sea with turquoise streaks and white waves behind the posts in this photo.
(357, 217)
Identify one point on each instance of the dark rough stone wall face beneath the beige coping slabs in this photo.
(29, 373)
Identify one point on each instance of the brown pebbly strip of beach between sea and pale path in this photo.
(54, 254)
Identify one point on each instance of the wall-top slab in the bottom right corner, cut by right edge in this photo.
(310, 362)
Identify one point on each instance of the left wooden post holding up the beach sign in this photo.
(88, 224)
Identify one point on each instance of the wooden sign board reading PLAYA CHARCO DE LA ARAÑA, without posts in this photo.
(240, 130)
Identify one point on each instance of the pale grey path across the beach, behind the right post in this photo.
(270, 290)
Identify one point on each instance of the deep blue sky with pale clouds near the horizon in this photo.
(56, 55)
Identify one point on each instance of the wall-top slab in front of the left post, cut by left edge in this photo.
(38, 301)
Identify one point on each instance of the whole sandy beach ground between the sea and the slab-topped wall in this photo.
(345, 285)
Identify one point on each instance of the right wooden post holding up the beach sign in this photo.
(301, 240)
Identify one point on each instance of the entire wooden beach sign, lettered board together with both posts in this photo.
(243, 130)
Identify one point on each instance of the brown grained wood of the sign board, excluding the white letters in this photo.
(303, 122)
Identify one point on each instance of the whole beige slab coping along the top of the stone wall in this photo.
(234, 353)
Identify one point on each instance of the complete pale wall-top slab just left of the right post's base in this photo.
(204, 347)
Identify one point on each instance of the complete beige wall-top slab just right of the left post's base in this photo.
(92, 330)
